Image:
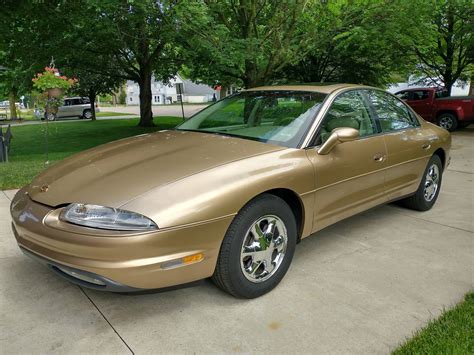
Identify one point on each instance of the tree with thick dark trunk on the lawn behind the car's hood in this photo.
(138, 38)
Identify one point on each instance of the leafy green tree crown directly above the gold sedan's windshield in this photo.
(243, 41)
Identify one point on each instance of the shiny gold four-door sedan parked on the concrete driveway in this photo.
(230, 192)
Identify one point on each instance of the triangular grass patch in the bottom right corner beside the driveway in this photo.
(451, 333)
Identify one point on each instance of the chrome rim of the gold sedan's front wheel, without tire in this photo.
(263, 248)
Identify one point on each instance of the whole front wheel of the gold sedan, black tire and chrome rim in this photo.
(257, 249)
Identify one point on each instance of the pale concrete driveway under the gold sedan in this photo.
(361, 286)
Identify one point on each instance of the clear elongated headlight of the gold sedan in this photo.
(94, 216)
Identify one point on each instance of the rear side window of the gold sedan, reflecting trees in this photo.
(392, 113)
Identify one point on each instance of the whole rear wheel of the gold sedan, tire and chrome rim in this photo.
(428, 191)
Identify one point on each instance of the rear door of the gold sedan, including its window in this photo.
(408, 147)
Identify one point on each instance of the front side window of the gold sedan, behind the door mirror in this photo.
(347, 110)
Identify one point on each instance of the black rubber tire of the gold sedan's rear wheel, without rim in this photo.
(419, 201)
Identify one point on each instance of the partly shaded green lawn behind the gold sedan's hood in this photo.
(28, 147)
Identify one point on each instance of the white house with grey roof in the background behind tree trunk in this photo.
(166, 93)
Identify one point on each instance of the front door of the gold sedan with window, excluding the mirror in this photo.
(350, 178)
